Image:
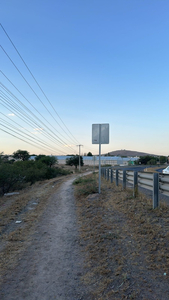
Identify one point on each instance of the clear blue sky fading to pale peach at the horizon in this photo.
(66, 65)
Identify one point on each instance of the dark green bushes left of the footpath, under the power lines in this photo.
(19, 172)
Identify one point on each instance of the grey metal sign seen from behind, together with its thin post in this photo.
(100, 135)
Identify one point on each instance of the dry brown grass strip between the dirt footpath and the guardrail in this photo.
(126, 244)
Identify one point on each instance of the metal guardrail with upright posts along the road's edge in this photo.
(155, 182)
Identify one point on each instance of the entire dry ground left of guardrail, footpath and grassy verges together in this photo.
(107, 246)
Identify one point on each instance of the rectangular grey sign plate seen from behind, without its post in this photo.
(104, 133)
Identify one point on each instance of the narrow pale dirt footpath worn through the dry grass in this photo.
(51, 267)
